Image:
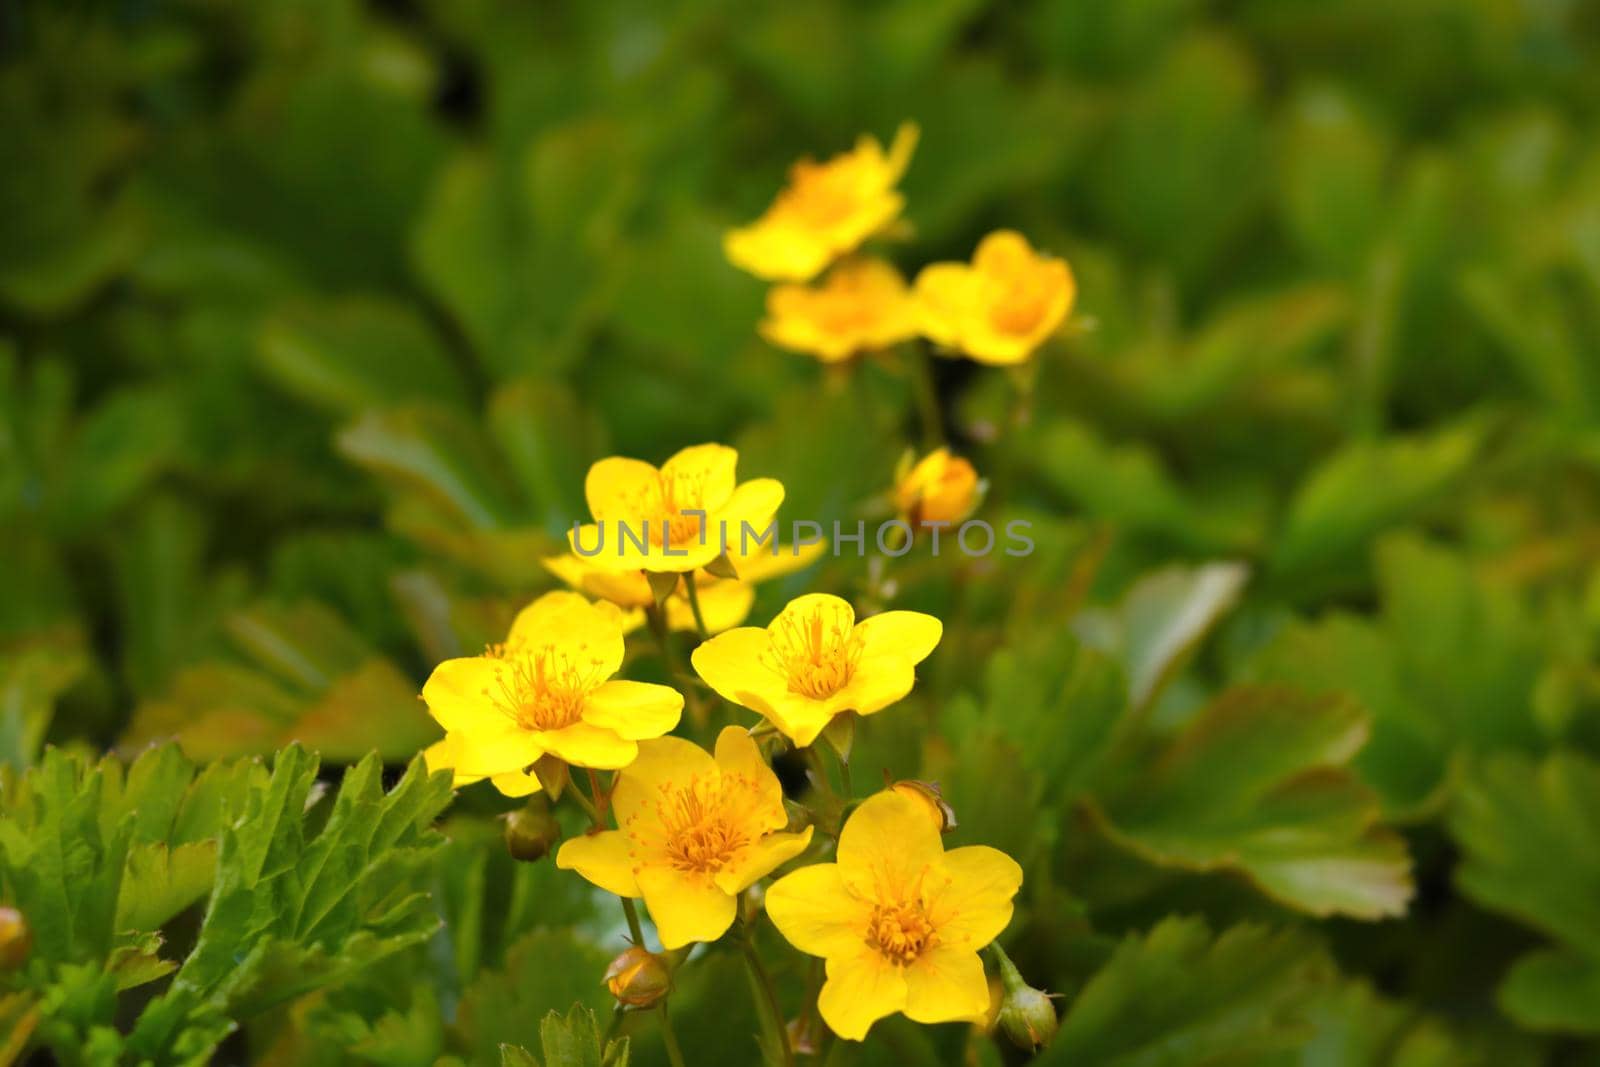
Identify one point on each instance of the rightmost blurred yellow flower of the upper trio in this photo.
(1002, 306)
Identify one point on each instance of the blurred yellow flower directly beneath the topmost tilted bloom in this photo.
(863, 306)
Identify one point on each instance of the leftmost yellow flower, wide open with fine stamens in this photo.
(546, 692)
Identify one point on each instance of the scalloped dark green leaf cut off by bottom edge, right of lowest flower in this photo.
(1180, 997)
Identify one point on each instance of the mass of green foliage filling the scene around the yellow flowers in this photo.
(313, 318)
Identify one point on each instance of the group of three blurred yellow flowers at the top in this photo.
(998, 310)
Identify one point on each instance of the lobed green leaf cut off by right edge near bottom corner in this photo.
(1530, 844)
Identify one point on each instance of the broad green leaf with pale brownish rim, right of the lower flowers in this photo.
(1258, 783)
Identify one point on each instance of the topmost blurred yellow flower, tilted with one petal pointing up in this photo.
(825, 212)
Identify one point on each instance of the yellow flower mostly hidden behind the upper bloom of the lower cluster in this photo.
(726, 602)
